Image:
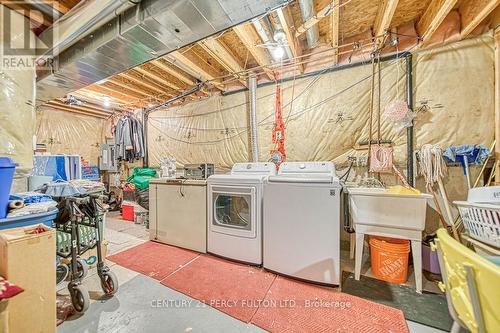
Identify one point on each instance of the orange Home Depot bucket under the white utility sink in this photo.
(389, 258)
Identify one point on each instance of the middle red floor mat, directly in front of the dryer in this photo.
(232, 288)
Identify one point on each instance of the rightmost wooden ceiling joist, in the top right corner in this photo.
(473, 13)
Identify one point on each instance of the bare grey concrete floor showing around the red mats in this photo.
(144, 305)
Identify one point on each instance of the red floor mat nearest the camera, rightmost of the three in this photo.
(292, 306)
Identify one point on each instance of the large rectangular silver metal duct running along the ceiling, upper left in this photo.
(149, 30)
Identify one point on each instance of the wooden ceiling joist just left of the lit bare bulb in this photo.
(247, 34)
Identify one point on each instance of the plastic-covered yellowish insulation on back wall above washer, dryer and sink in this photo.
(454, 88)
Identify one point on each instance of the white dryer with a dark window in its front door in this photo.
(235, 212)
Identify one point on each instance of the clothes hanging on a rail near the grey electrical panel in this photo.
(129, 139)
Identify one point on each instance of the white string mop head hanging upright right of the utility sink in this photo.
(432, 165)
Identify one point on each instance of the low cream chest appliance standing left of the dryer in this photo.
(178, 212)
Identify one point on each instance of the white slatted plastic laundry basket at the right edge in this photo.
(482, 221)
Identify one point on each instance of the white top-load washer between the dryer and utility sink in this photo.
(302, 222)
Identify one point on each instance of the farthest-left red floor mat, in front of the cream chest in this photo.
(153, 259)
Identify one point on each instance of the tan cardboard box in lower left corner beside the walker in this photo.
(29, 261)
